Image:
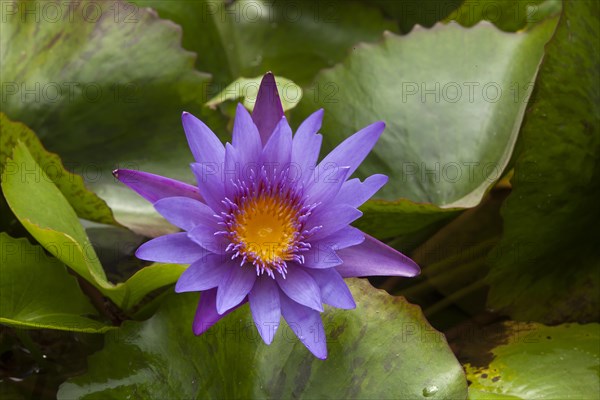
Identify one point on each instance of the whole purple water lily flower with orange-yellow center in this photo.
(267, 224)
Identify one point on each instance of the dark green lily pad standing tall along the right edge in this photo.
(548, 255)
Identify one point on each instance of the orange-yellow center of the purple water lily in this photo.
(266, 228)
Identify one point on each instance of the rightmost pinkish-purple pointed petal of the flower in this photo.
(373, 258)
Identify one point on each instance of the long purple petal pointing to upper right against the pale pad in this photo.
(352, 151)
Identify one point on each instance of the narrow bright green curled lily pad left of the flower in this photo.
(59, 231)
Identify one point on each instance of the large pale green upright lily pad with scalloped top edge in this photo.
(453, 100)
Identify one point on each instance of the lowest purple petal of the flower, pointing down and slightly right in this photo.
(306, 324)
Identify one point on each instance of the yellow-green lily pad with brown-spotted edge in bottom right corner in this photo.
(534, 361)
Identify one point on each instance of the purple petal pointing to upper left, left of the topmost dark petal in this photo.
(204, 144)
